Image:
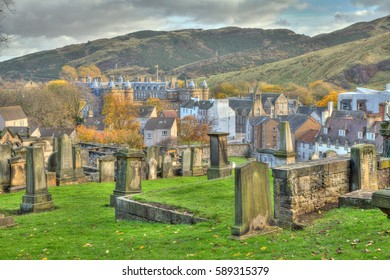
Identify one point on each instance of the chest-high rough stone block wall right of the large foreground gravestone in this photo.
(302, 188)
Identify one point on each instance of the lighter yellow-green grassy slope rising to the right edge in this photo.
(365, 61)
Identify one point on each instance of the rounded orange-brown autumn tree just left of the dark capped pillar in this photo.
(190, 130)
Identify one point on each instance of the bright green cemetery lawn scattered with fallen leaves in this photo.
(83, 226)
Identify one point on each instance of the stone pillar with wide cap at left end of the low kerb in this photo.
(128, 173)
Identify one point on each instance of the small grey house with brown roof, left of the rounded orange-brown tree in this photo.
(160, 131)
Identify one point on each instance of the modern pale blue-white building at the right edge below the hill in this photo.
(363, 99)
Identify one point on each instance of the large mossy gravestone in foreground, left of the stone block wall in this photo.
(253, 207)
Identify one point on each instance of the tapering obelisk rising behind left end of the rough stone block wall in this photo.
(285, 154)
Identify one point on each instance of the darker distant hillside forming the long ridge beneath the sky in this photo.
(193, 52)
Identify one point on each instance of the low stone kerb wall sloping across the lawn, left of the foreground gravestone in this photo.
(127, 209)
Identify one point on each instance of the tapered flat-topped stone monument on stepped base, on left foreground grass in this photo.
(37, 197)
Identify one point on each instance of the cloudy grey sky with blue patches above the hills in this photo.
(37, 25)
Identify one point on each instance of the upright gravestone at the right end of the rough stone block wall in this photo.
(364, 173)
